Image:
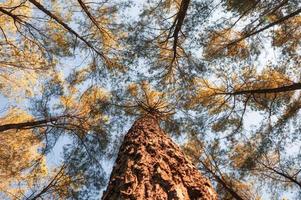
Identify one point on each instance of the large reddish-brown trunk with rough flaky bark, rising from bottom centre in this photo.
(150, 166)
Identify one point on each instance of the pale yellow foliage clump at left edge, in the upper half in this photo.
(21, 64)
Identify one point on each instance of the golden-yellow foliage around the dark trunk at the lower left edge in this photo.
(18, 152)
